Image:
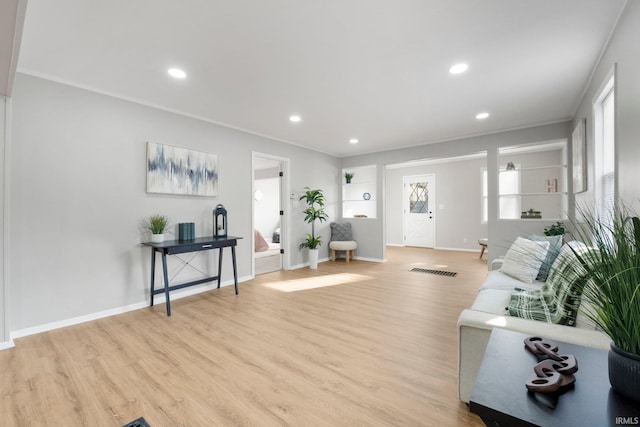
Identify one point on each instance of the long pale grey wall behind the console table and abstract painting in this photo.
(78, 194)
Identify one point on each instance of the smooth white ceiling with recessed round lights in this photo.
(376, 70)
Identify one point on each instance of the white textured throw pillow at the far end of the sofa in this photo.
(524, 258)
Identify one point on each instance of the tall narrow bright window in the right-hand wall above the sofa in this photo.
(605, 168)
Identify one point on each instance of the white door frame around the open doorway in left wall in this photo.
(285, 206)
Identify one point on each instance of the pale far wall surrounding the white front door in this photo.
(458, 198)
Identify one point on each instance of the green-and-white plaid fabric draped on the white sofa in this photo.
(558, 300)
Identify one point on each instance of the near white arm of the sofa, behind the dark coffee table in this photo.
(474, 330)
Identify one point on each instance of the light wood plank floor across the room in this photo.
(376, 346)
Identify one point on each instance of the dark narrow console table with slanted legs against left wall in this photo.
(174, 247)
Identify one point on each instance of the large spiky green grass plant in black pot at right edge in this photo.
(612, 291)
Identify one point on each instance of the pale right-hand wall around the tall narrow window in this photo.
(623, 52)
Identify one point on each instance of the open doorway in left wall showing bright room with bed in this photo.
(269, 213)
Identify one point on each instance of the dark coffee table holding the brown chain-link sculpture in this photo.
(500, 397)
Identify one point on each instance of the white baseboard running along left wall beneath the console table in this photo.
(175, 295)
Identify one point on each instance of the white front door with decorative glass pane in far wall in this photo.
(419, 195)
